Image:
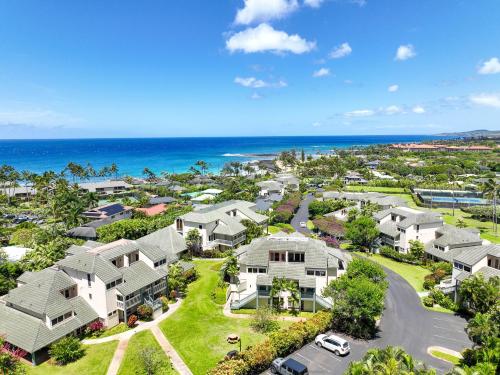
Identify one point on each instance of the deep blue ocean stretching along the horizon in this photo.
(170, 154)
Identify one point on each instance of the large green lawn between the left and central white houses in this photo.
(198, 329)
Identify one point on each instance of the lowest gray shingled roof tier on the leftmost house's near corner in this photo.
(31, 334)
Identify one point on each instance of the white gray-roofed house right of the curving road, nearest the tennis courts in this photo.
(400, 225)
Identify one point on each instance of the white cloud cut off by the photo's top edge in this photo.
(264, 10)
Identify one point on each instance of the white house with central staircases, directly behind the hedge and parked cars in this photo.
(306, 261)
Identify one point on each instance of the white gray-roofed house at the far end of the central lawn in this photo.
(219, 225)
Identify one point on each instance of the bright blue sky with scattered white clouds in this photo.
(124, 68)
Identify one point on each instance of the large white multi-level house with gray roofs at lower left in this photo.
(105, 282)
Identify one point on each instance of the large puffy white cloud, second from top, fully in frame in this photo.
(264, 38)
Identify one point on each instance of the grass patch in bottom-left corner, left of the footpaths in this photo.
(95, 362)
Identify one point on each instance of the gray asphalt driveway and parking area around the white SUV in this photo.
(405, 323)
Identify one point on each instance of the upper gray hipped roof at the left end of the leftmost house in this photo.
(41, 293)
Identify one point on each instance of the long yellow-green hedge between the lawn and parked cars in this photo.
(259, 357)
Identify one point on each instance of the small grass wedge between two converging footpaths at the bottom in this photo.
(131, 364)
